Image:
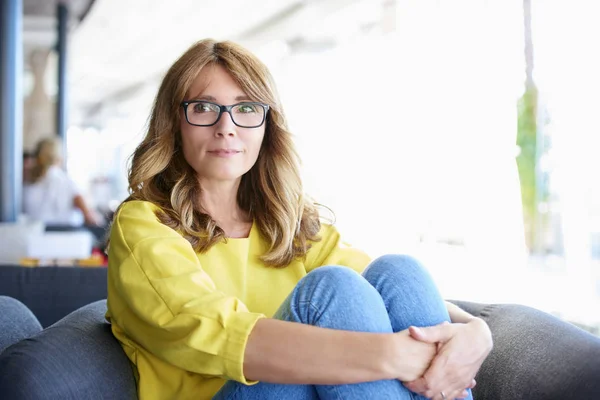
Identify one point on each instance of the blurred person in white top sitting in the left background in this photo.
(50, 195)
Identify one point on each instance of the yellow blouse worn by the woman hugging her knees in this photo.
(184, 318)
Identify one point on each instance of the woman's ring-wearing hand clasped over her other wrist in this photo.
(462, 348)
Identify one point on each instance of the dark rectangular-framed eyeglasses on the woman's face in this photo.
(206, 113)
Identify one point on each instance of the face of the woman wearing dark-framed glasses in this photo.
(224, 151)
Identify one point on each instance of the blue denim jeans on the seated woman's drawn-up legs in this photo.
(393, 293)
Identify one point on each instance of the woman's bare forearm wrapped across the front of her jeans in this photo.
(287, 352)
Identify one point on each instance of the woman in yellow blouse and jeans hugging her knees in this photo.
(223, 282)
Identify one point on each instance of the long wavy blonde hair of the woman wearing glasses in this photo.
(271, 192)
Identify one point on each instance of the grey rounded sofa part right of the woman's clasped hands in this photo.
(536, 356)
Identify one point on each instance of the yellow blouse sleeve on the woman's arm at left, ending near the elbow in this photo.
(164, 301)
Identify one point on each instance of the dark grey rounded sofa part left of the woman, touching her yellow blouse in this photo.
(76, 358)
